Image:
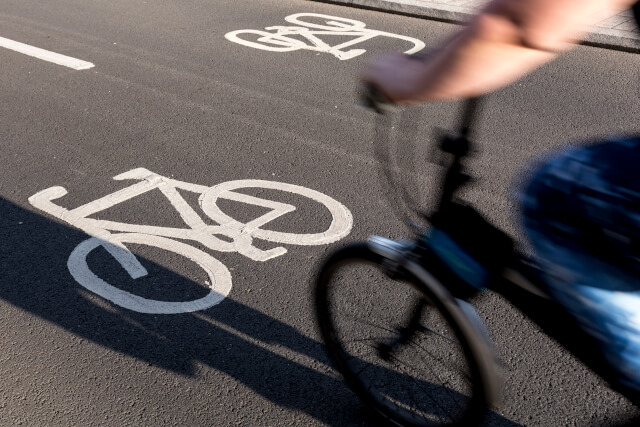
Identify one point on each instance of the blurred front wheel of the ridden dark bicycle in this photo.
(399, 347)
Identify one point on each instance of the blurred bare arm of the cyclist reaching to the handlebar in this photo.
(505, 41)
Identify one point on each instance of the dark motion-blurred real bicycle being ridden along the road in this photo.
(405, 337)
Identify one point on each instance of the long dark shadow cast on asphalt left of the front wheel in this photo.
(284, 365)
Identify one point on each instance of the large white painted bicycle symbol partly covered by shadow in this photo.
(229, 235)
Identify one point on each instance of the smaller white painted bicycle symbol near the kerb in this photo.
(307, 35)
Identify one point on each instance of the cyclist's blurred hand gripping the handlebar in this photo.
(397, 76)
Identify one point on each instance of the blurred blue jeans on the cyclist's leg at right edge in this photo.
(581, 211)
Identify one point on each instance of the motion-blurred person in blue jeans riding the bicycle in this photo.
(581, 209)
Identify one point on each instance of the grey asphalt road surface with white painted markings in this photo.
(176, 108)
